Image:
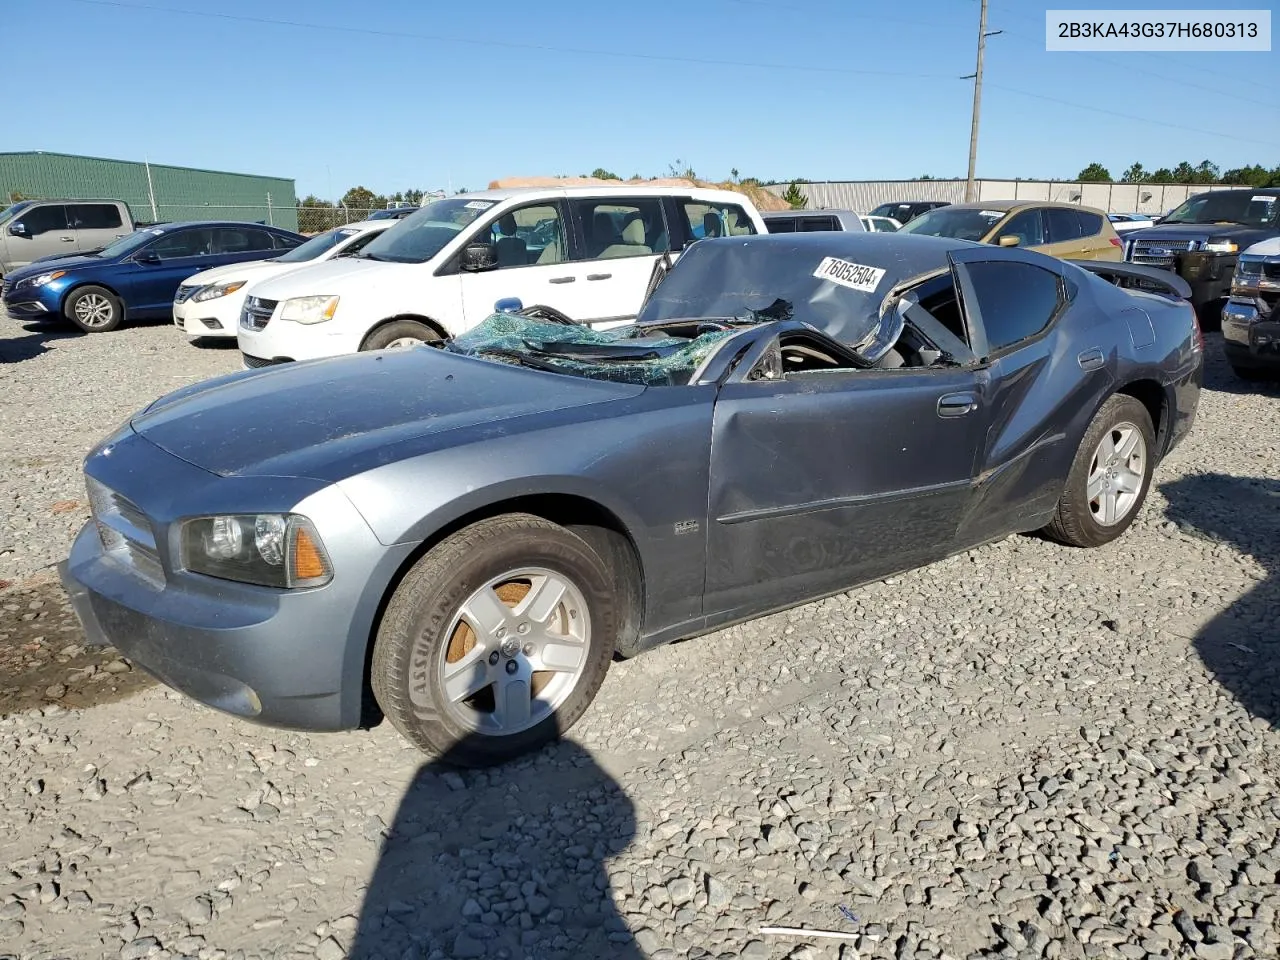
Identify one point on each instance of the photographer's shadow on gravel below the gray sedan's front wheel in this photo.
(506, 862)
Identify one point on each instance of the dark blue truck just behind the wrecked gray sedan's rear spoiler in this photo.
(1201, 240)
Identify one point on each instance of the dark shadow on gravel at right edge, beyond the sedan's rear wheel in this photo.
(1241, 646)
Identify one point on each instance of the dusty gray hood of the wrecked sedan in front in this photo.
(317, 419)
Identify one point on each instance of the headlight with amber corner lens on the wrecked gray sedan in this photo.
(271, 550)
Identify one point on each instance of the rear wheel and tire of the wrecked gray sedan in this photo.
(1109, 479)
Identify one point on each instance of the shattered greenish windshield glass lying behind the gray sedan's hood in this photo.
(623, 355)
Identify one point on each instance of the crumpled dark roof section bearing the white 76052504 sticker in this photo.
(774, 278)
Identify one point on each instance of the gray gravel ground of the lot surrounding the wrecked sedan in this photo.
(1023, 752)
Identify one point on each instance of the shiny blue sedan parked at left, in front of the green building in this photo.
(136, 277)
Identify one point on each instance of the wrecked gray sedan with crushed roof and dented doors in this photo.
(463, 540)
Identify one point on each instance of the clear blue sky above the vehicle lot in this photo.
(387, 94)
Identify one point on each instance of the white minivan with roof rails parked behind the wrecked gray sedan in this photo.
(586, 252)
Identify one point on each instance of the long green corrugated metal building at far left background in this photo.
(153, 191)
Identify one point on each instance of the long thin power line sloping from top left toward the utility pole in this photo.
(510, 44)
